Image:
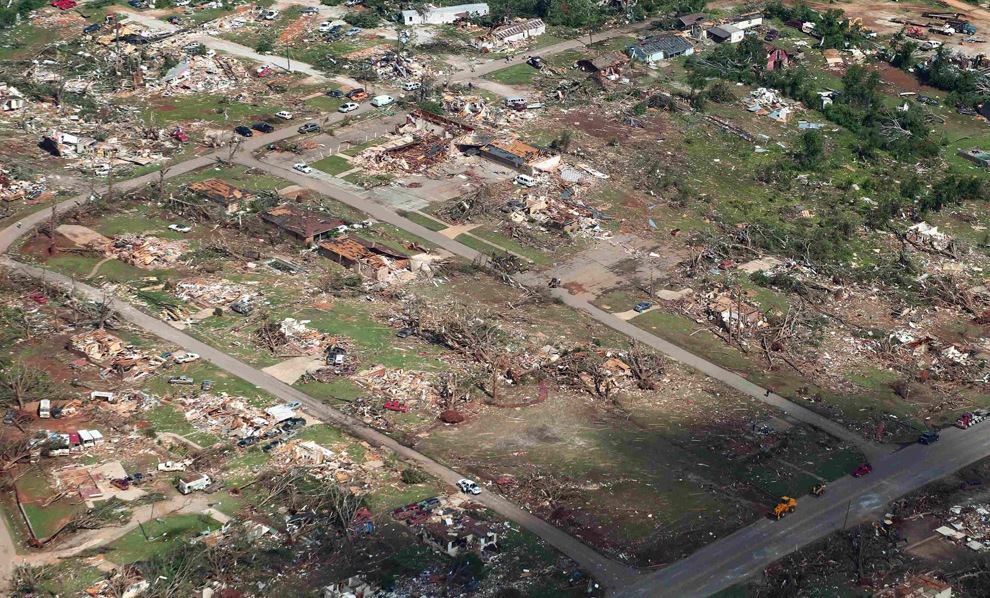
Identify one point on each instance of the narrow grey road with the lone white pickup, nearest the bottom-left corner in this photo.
(609, 573)
